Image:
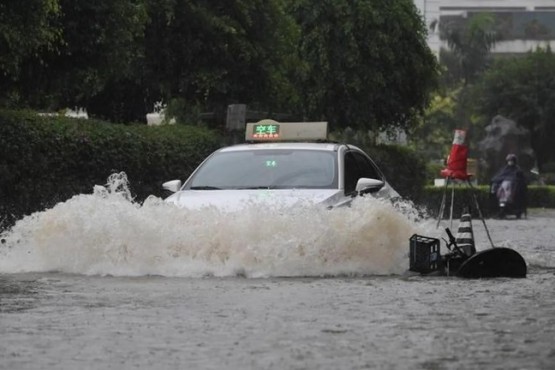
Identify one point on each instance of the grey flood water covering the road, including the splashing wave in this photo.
(100, 282)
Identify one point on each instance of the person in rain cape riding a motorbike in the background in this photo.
(509, 187)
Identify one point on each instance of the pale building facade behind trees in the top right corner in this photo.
(524, 24)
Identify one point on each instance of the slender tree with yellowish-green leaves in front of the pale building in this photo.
(470, 41)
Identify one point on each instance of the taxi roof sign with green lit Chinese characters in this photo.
(270, 130)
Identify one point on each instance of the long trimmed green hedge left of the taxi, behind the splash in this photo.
(45, 160)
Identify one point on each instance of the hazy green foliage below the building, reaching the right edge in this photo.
(476, 86)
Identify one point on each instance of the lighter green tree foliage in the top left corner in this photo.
(27, 28)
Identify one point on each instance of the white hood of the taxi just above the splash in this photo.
(231, 200)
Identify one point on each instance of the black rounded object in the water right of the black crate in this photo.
(494, 262)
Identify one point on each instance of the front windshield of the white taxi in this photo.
(268, 169)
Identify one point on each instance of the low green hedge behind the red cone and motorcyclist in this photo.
(538, 197)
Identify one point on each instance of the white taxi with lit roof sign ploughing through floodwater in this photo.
(281, 163)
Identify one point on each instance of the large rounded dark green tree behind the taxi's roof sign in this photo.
(368, 62)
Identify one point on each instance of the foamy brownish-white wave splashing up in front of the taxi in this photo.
(106, 233)
